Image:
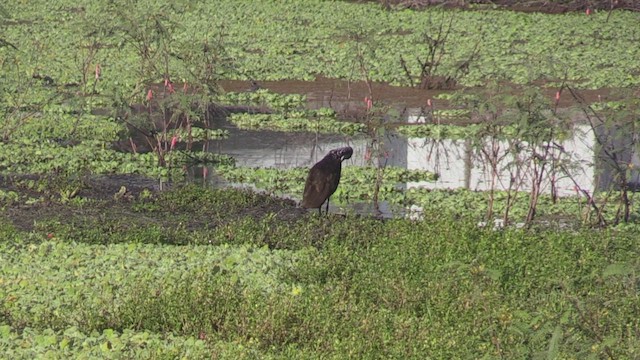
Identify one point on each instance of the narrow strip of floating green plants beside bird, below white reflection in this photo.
(358, 185)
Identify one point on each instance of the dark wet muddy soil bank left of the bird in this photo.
(114, 199)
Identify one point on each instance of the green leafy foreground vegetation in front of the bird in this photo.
(248, 284)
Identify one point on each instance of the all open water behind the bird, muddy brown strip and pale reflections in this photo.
(458, 163)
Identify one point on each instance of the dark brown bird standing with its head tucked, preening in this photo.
(323, 179)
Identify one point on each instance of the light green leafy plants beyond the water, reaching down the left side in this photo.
(74, 76)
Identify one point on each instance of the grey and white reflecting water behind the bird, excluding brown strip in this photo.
(459, 163)
